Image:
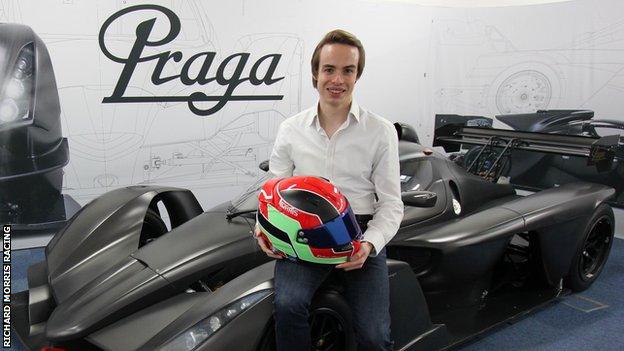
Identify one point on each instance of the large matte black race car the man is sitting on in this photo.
(470, 254)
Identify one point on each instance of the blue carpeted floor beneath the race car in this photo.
(592, 320)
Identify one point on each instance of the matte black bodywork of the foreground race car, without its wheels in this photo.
(105, 289)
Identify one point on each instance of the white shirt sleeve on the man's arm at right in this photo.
(389, 207)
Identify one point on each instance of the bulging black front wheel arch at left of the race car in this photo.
(114, 221)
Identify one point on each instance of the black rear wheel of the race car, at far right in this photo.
(591, 256)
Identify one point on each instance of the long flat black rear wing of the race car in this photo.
(598, 151)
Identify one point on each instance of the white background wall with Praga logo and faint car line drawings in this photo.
(421, 60)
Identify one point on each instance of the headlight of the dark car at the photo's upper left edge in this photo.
(15, 100)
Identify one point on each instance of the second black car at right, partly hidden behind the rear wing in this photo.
(535, 171)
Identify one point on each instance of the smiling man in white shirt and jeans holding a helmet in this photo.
(358, 151)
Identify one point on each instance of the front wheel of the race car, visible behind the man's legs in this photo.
(331, 326)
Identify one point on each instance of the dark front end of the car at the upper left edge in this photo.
(32, 150)
